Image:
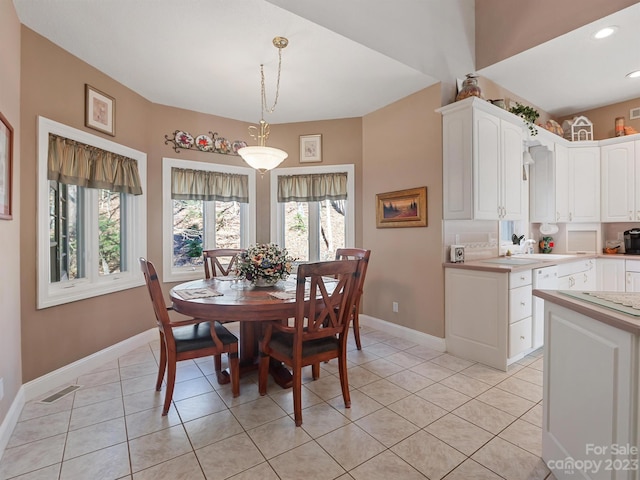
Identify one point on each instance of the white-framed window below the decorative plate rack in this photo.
(191, 225)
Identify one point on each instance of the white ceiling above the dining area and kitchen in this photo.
(205, 55)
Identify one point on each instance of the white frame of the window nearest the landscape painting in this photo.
(277, 209)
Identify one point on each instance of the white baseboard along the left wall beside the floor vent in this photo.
(67, 374)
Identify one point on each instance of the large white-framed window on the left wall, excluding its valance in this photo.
(89, 239)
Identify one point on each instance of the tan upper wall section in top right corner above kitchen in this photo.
(506, 28)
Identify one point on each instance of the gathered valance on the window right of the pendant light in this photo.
(313, 187)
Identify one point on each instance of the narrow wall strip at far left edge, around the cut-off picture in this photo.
(10, 363)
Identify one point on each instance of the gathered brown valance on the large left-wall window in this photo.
(76, 163)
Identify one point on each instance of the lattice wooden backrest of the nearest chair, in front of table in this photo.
(331, 316)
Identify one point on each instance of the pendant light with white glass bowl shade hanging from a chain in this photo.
(261, 157)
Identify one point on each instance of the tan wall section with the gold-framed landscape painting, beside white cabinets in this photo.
(403, 149)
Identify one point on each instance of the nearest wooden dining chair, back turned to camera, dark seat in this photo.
(320, 327)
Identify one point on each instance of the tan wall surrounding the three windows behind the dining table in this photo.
(53, 87)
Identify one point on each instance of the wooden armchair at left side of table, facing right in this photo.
(187, 339)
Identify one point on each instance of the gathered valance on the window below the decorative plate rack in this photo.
(187, 184)
